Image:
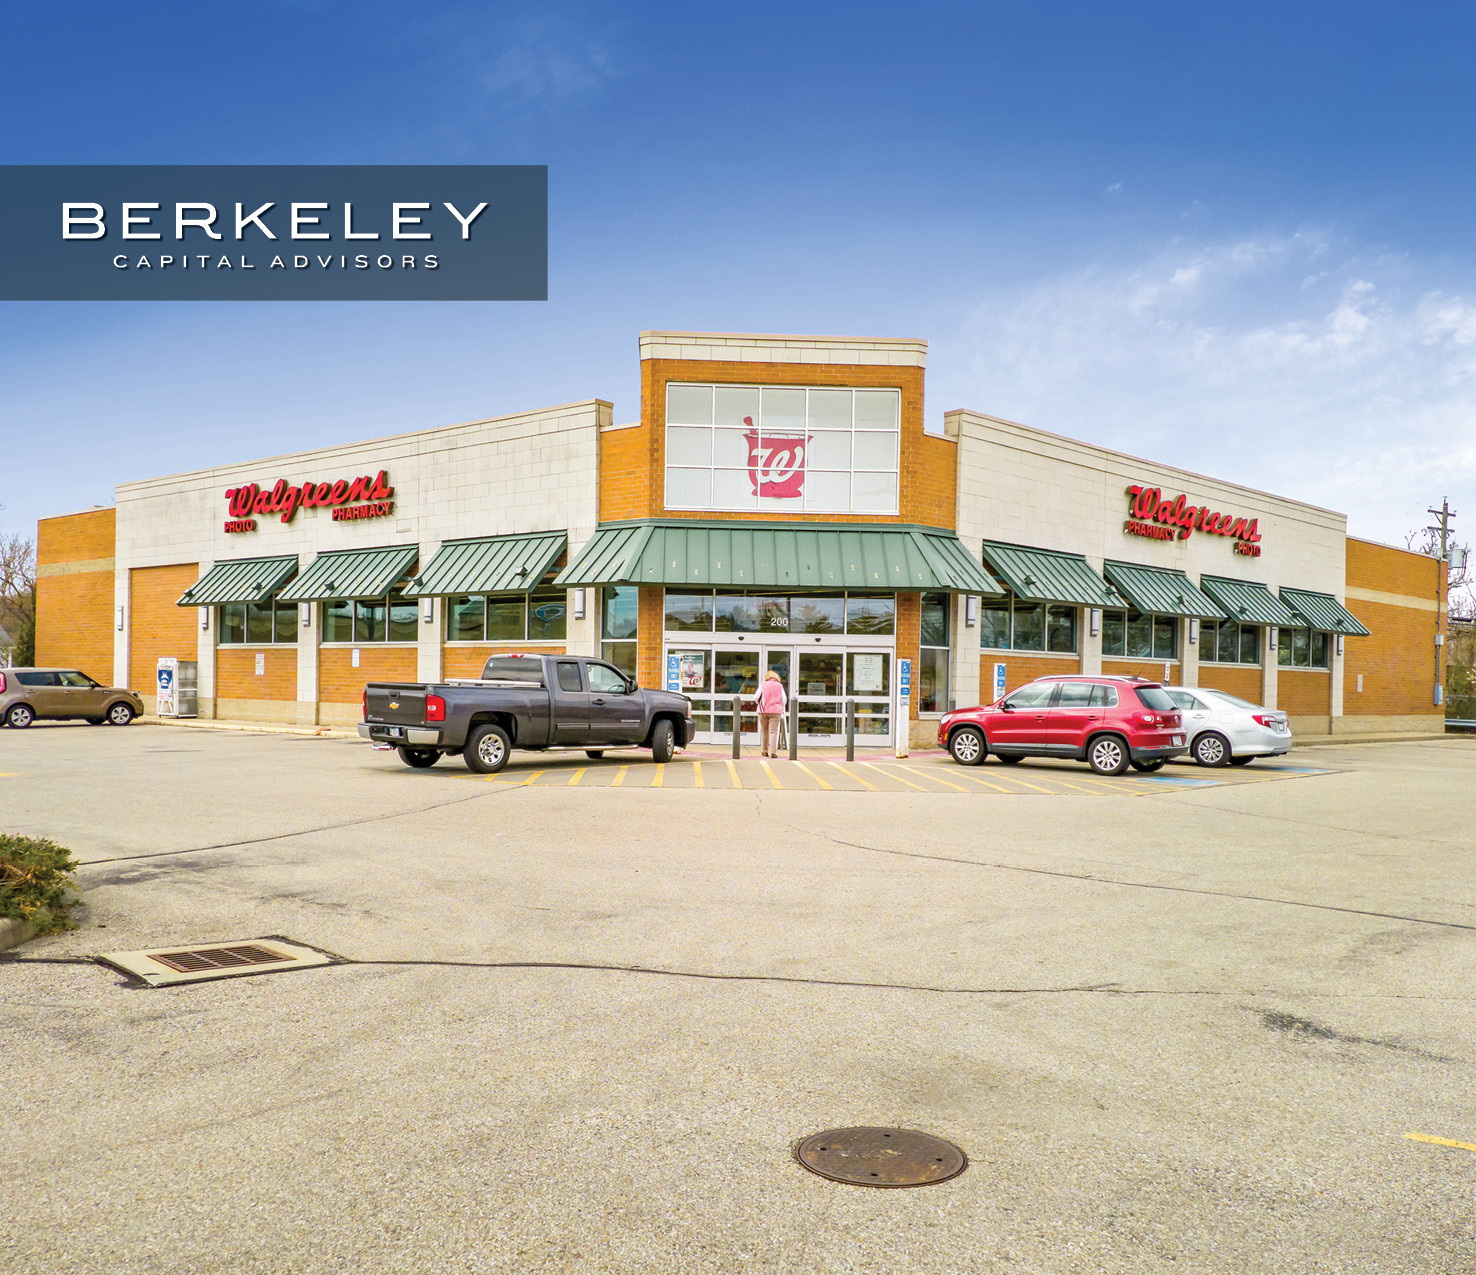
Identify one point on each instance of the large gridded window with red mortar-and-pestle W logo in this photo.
(783, 449)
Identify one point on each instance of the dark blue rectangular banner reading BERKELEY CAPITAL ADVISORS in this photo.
(286, 234)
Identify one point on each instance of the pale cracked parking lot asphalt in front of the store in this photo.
(581, 1026)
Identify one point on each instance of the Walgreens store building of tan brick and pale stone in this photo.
(782, 504)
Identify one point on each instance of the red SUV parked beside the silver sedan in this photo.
(1108, 722)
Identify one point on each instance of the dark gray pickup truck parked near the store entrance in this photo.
(525, 702)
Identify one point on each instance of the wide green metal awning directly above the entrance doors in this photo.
(777, 556)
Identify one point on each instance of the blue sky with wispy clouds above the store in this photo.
(1235, 240)
